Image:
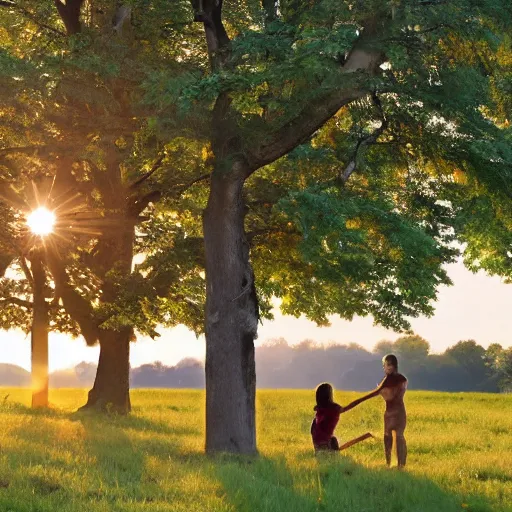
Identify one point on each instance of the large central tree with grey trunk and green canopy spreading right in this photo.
(381, 83)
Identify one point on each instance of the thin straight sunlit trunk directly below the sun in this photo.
(39, 335)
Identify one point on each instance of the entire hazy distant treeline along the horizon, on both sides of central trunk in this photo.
(466, 366)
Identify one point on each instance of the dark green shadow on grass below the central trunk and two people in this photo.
(334, 483)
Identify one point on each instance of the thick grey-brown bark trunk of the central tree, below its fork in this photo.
(231, 319)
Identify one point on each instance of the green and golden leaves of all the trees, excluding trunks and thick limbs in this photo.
(438, 171)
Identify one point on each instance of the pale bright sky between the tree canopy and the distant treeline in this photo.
(475, 307)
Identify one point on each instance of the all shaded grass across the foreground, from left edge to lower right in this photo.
(116, 470)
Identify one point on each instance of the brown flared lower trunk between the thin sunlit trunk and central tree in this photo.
(111, 390)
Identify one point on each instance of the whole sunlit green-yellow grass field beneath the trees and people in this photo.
(460, 457)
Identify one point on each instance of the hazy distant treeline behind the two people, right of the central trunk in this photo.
(466, 366)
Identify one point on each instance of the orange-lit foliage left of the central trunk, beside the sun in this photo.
(83, 115)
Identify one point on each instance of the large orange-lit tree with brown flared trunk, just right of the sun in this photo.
(73, 95)
